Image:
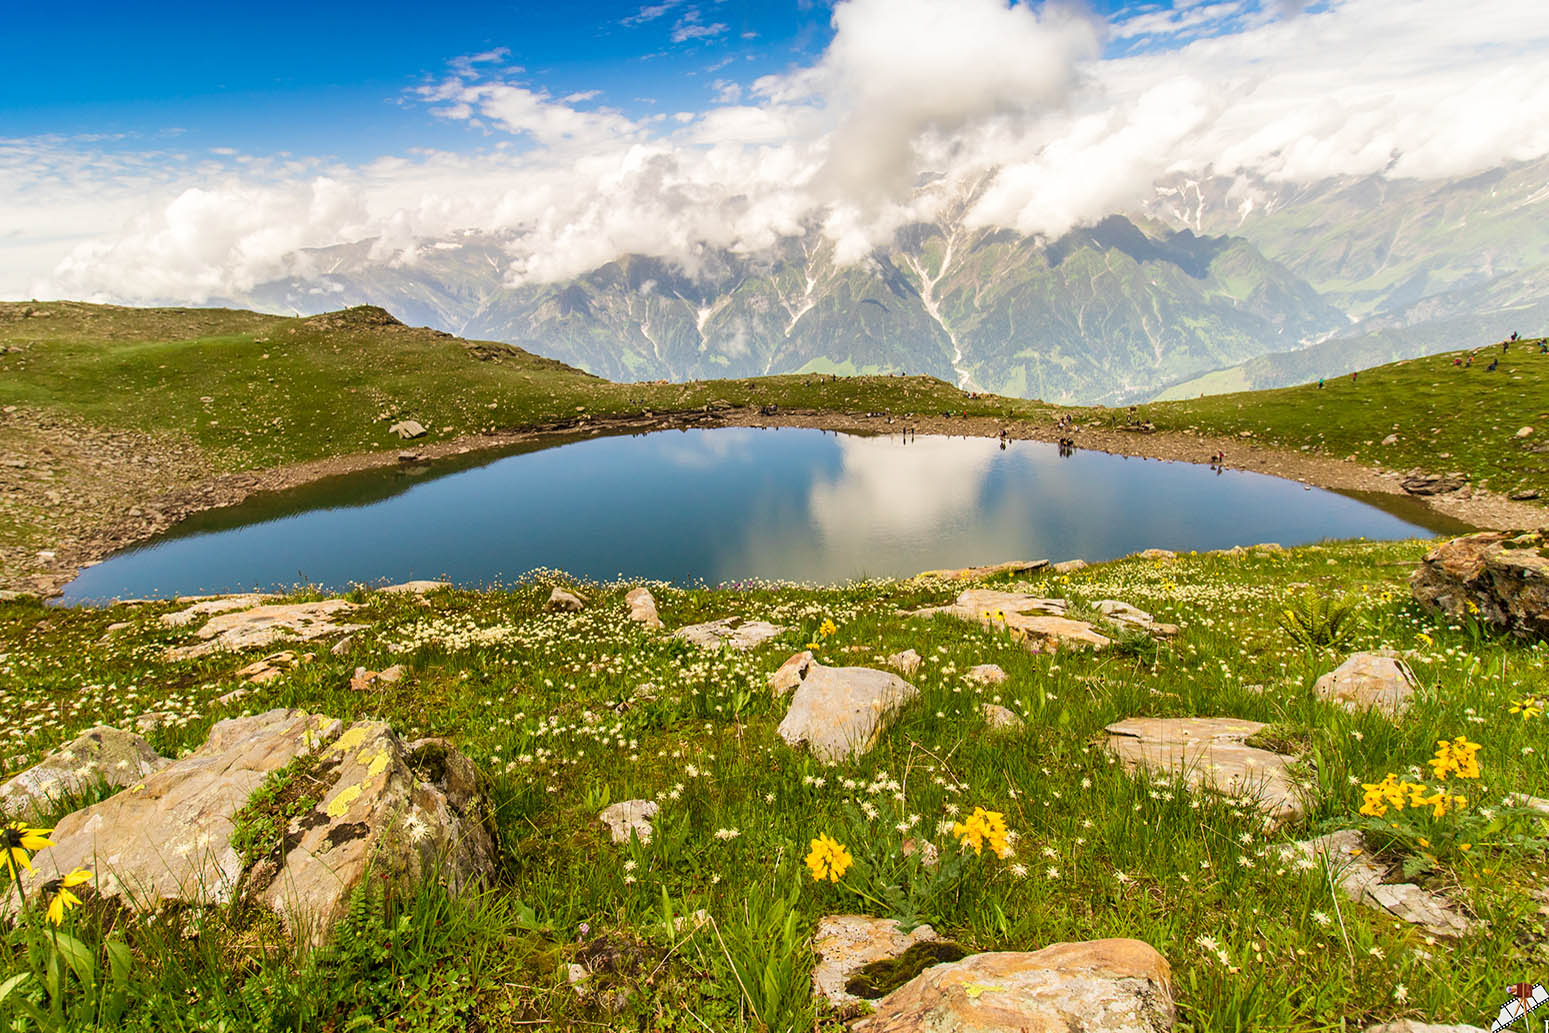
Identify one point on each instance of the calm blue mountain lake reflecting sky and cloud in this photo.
(727, 506)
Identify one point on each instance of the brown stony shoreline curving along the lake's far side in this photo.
(100, 523)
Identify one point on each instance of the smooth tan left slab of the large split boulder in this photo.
(170, 837)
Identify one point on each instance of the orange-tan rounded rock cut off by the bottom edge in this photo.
(1094, 987)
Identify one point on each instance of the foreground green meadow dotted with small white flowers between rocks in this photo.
(552, 710)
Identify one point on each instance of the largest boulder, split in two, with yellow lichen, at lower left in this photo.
(379, 811)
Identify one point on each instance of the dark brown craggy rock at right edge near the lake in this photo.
(1505, 575)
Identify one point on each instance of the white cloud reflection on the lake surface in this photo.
(899, 492)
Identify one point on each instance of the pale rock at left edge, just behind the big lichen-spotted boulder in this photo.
(100, 755)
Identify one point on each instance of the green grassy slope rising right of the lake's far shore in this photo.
(1446, 417)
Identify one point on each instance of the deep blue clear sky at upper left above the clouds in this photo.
(332, 80)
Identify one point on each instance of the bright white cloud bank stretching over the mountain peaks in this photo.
(1011, 105)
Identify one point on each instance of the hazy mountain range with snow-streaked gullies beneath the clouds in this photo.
(1215, 284)
